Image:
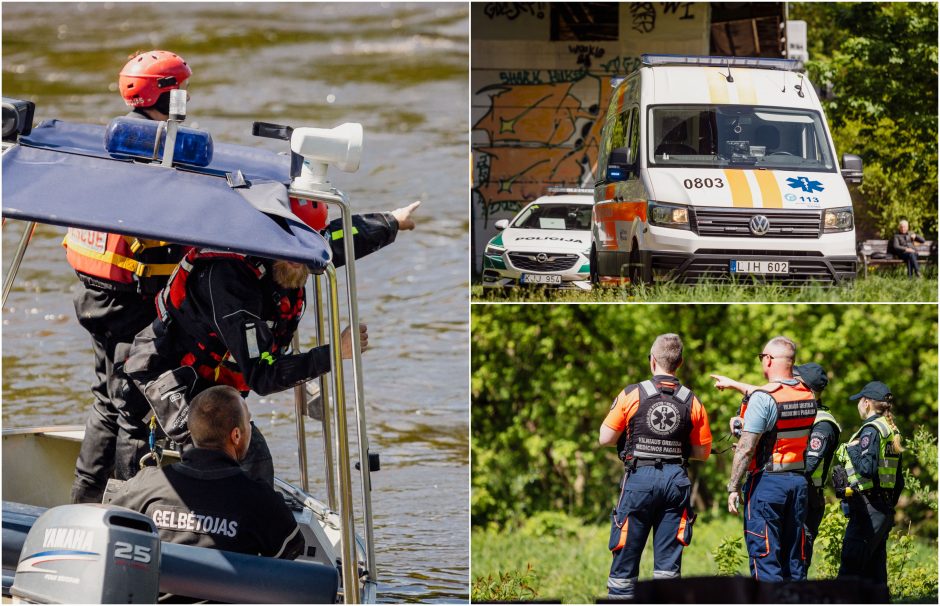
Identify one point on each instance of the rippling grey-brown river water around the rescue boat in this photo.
(400, 70)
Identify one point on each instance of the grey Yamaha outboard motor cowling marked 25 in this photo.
(95, 554)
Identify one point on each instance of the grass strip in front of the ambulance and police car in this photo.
(889, 287)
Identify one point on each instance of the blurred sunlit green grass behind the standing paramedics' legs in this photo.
(571, 565)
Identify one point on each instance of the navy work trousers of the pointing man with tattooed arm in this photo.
(774, 517)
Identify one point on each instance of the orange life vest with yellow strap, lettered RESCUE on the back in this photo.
(121, 259)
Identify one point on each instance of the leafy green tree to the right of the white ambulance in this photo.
(880, 61)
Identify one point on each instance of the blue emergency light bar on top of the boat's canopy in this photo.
(136, 138)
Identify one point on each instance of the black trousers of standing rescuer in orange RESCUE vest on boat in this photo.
(112, 318)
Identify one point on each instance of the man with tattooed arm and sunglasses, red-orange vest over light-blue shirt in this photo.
(772, 449)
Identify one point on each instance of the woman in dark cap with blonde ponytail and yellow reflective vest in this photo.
(872, 462)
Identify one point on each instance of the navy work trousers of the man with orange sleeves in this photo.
(657, 499)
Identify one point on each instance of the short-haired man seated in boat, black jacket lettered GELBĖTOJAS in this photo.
(207, 500)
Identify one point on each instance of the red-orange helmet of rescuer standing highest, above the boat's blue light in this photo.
(147, 75)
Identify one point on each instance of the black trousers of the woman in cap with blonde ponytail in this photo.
(864, 546)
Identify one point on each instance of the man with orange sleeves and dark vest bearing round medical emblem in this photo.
(657, 426)
